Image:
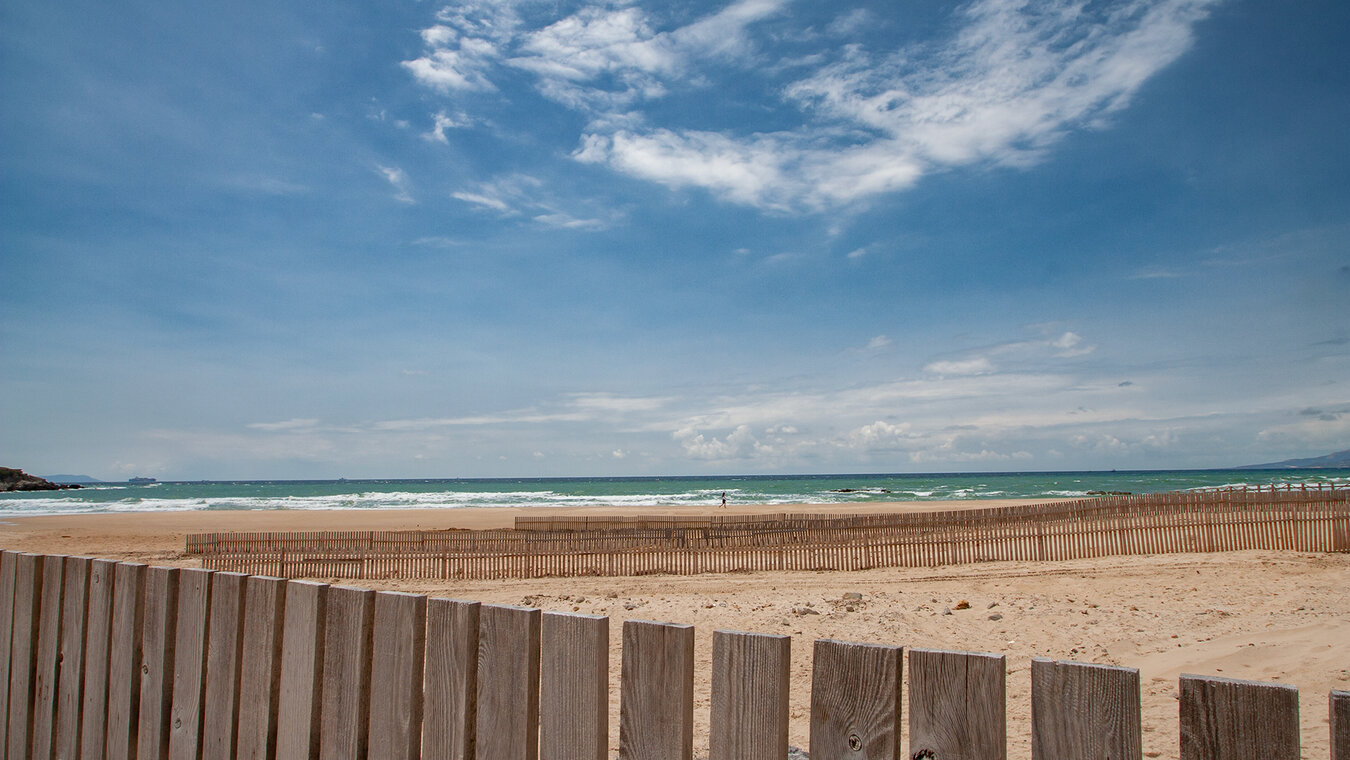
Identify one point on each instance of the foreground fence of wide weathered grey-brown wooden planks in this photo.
(115, 661)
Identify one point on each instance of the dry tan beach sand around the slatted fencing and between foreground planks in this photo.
(1263, 616)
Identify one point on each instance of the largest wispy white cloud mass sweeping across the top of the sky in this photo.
(1006, 86)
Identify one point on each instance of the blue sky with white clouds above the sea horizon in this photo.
(279, 240)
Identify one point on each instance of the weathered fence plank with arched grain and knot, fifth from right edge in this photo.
(855, 701)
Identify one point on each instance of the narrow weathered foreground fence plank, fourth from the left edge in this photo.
(71, 661)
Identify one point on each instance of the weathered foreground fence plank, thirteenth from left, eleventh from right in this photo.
(396, 690)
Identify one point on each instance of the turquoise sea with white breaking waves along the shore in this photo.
(638, 493)
